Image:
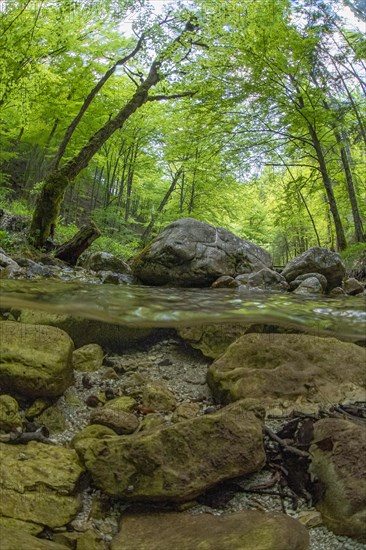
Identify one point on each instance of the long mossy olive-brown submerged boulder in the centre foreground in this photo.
(180, 461)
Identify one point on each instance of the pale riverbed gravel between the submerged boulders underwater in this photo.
(183, 370)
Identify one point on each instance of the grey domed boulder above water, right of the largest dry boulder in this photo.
(318, 260)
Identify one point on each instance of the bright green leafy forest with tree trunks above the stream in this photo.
(247, 114)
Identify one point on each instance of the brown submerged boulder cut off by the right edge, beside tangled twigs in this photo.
(338, 460)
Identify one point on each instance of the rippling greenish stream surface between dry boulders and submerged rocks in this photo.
(142, 306)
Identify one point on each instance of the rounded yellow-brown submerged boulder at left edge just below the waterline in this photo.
(35, 360)
